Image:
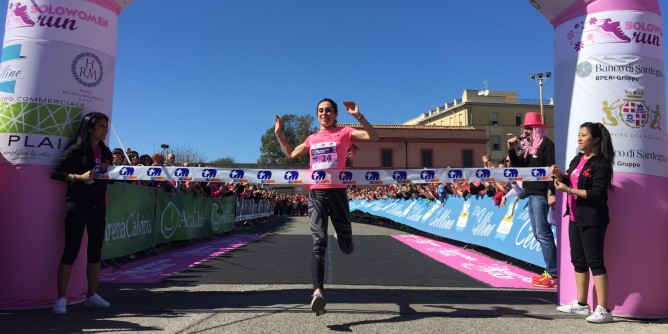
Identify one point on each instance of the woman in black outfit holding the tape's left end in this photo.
(86, 204)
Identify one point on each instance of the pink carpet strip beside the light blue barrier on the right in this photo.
(495, 273)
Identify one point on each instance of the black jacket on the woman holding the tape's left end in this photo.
(72, 162)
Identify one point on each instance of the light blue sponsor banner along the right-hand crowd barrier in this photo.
(476, 221)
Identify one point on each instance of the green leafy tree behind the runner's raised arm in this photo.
(295, 129)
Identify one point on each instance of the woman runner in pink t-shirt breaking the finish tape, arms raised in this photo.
(327, 149)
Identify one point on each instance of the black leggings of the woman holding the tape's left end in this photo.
(80, 216)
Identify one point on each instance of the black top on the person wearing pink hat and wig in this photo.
(544, 158)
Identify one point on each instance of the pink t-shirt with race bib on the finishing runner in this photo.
(328, 150)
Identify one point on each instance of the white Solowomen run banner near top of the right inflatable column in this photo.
(610, 33)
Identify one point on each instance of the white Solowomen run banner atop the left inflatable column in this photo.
(75, 22)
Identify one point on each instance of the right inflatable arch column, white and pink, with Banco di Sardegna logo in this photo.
(609, 68)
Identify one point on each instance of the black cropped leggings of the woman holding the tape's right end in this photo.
(587, 248)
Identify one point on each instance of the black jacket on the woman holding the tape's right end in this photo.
(594, 178)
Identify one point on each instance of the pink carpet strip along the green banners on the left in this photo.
(156, 268)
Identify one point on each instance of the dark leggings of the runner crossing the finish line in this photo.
(324, 203)
